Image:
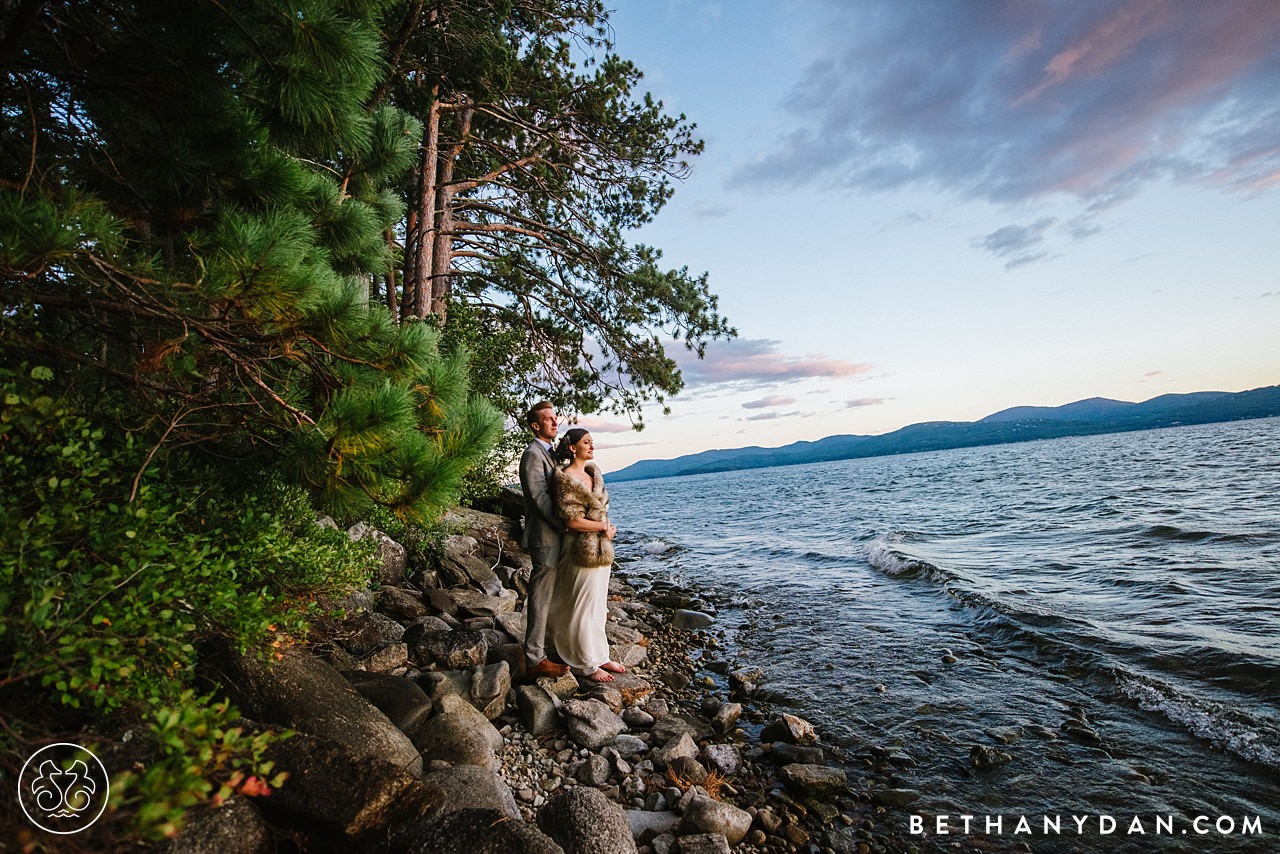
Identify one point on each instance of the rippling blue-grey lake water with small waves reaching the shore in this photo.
(1103, 610)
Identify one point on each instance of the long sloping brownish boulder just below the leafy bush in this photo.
(307, 695)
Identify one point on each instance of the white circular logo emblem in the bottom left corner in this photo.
(63, 789)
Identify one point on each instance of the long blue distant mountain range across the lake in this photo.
(1018, 424)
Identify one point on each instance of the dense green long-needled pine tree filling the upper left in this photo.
(195, 203)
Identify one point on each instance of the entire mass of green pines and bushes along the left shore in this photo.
(263, 255)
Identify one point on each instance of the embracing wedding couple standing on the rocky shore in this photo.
(570, 541)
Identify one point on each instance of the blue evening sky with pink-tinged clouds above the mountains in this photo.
(931, 212)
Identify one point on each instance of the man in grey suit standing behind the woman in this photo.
(543, 529)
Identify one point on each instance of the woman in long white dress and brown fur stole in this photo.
(579, 606)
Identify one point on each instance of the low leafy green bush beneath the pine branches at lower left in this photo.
(118, 561)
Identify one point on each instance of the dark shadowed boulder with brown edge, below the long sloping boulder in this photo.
(333, 793)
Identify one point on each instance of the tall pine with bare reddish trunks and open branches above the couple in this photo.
(538, 158)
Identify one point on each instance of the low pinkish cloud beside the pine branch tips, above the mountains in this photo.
(756, 363)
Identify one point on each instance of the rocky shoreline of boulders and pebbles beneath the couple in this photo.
(417, 732)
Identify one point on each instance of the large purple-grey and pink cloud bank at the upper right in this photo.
(1016, 101)
